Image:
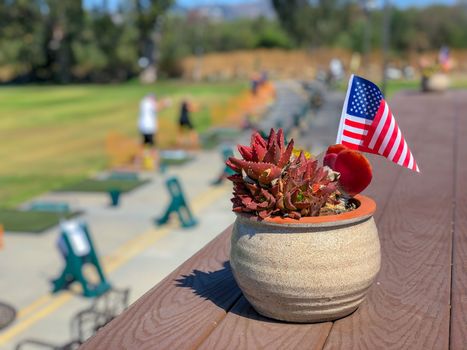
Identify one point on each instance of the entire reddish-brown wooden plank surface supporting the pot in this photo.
(417, 301)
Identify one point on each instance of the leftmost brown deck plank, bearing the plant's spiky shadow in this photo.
(182, 310)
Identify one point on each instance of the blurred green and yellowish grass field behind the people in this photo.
(53, 136)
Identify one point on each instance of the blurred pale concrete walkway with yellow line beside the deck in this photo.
(133, 251)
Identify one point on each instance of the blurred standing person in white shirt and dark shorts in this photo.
(147, 121)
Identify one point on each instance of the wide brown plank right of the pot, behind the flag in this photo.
(408, 307)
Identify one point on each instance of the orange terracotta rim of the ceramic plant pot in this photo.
(365, 210)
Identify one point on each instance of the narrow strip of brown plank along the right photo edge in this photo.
(459, 268)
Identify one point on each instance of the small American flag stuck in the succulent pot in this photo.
(368, 125)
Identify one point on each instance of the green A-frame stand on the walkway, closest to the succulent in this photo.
(177, 204)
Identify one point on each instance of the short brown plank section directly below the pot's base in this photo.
(244, 328)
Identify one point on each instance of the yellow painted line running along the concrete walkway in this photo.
(110, 263)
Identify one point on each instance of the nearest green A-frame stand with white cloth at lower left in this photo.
(74, 265)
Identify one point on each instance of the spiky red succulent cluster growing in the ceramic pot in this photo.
(269, 180)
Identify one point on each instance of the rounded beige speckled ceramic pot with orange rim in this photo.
(309, 270)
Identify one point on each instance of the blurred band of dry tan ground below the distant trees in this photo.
(300, 64)
